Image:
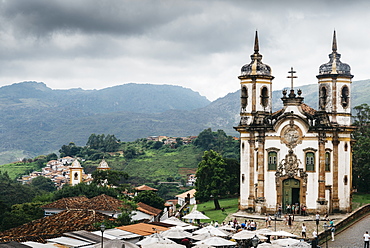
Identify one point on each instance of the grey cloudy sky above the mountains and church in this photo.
(94, 44)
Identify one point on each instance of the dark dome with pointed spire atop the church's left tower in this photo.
(256, 67)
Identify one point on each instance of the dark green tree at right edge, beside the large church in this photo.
(361, 155)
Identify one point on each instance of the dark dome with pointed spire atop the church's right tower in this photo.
(335, 66)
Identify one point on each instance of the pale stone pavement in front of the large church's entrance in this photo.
(281, 224)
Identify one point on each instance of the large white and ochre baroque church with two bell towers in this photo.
(297, 155)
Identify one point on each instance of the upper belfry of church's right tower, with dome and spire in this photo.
(335, 81)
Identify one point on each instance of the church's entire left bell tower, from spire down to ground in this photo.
(256, 105)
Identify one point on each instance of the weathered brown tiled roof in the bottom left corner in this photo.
(54, 226)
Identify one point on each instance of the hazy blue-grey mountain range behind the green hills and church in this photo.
(38, 120)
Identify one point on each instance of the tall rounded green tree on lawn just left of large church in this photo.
(212, 178)
